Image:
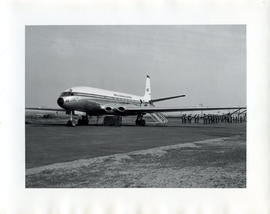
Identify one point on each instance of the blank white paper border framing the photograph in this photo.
(15, 15)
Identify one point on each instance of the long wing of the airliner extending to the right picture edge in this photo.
(136, 110)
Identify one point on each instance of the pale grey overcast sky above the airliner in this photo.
(205, 62)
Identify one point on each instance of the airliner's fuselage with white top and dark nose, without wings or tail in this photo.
(95, 101)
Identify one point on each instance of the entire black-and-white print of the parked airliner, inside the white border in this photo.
(135, 106)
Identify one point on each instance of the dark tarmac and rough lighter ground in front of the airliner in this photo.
(176, 155)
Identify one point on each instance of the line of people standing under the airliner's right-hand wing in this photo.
(213, 118)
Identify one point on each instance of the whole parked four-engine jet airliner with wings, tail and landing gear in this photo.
(95, 102)
